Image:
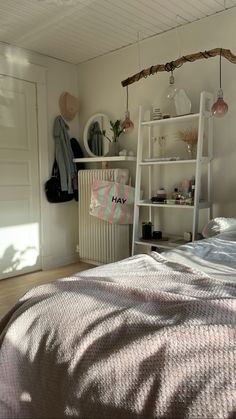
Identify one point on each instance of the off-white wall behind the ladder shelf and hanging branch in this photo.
(100, 89)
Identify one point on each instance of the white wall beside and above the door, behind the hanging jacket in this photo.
(59, 221)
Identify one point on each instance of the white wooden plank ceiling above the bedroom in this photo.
(79, 30)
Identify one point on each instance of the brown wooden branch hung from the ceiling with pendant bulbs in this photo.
(226, 53)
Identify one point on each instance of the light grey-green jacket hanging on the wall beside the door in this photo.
(64, 155)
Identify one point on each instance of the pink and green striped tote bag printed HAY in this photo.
(112, 202)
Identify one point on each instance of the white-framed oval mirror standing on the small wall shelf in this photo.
(94, 141)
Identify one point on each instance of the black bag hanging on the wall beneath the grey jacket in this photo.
(52, 187)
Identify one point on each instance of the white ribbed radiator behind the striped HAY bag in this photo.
(100, 241)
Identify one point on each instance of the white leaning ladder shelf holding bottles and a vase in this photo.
(204, 121)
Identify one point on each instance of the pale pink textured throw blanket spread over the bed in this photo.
(139, 339)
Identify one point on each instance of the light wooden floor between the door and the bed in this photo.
(12, 289)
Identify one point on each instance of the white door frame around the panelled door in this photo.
(37, 75)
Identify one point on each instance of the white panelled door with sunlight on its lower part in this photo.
(19, 179)
